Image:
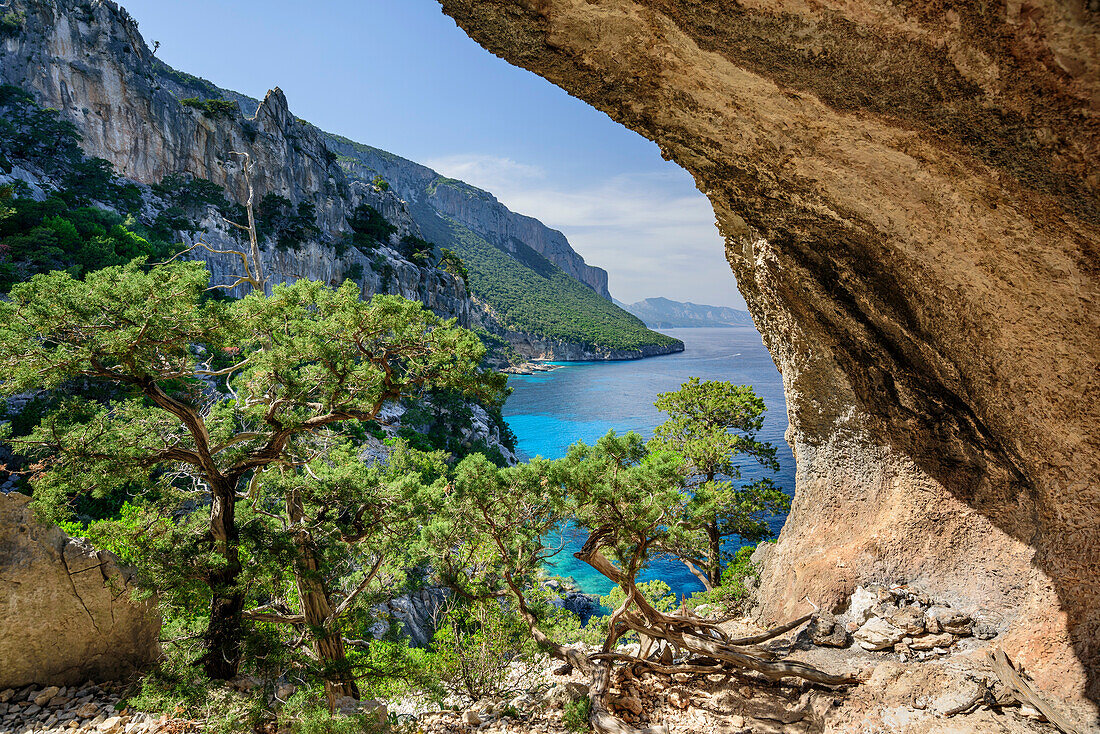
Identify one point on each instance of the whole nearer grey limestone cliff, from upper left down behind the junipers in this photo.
(87, 60)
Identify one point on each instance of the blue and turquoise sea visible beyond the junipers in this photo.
(582, 401)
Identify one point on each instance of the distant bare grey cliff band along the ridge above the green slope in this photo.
(470, 206)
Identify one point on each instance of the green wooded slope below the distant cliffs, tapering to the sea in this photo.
(532, 294)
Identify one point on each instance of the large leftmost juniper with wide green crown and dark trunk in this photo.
(303, 361)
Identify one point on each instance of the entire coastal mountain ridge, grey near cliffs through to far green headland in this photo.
(90, 62)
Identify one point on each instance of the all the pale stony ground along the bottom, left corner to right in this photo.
(922, 669)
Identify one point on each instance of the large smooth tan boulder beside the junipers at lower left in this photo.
(65, 608)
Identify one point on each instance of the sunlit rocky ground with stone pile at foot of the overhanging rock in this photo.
(922, 667)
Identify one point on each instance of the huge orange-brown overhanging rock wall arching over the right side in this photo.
(909, 194)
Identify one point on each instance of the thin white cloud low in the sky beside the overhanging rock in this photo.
(651, 235)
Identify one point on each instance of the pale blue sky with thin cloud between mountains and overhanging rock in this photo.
(402, 76)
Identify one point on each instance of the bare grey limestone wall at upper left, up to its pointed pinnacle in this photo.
(87, 60)
